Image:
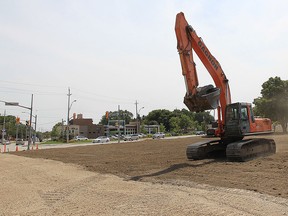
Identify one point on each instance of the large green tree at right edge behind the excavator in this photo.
(273, 103)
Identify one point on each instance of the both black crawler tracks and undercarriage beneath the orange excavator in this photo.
(242, 150)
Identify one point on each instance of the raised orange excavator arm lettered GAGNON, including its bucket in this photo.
(207, 97)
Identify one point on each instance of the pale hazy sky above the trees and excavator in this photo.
(113, 53)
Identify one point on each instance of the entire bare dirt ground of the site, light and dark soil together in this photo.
(149, 177)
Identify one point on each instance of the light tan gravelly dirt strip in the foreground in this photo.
(36, 186)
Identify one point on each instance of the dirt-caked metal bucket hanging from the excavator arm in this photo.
(207, 98)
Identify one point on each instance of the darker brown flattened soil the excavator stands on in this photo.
(165, 161)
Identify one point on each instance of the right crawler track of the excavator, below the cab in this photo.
(249, 149)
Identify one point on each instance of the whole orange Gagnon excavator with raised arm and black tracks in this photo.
(235, 120)
